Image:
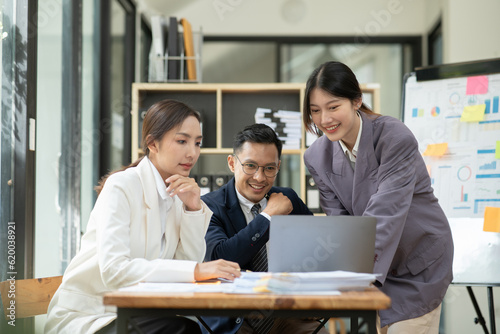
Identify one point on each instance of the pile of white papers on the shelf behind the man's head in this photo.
(287, 125)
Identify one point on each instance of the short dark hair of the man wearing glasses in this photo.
(257, 133)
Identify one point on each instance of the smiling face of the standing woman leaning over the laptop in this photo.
(336, 117)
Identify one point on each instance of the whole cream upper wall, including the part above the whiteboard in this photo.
(470, 29)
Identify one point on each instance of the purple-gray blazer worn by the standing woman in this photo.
(414, 247)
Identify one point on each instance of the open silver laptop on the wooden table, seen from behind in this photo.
(321, 243)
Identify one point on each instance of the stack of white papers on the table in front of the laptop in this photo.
(326, 282)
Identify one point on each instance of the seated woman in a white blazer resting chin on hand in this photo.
(148, 225)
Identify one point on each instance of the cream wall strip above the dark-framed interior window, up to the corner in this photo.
(297, 17)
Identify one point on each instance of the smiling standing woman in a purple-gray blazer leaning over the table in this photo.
(366, 164)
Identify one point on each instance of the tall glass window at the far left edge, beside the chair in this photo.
(17, 143)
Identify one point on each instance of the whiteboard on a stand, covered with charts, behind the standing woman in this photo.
(466, 179)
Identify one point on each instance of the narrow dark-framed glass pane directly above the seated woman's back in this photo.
(117, 73)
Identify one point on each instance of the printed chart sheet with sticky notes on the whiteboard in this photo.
(462, 113)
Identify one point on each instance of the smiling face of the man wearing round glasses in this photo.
(254, 187)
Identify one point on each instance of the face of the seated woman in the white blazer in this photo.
(178, 150)
